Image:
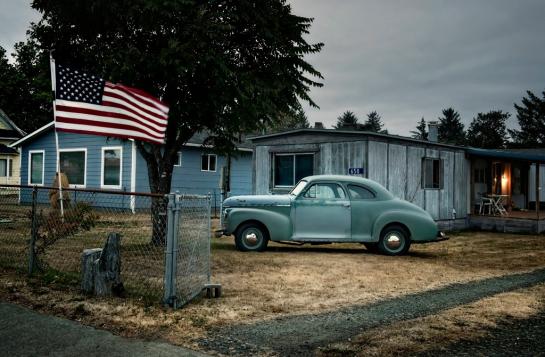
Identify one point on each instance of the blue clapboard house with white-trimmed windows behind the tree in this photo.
(103, 163)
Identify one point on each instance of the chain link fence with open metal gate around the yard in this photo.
(31, 221)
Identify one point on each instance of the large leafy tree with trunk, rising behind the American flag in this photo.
(222, 66)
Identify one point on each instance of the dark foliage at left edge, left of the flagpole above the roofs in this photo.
(25, 87)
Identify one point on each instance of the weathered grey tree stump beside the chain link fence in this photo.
(101, 268)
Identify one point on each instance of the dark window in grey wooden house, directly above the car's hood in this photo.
(290, 168)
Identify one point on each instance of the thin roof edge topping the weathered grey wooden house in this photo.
(354, 133)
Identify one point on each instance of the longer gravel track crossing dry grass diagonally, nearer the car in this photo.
(302, 334)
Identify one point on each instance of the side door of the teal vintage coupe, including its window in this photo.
(322, 212)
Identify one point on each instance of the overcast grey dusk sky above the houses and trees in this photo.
(404, 59)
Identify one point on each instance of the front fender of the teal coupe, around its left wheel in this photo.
(278, 225)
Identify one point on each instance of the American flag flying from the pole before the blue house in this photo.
(88, 104)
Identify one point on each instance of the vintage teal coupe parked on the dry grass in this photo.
(326, 209)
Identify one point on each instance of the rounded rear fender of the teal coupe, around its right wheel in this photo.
(421, 227)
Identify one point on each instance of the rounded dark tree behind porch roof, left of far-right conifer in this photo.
(488, 130)
